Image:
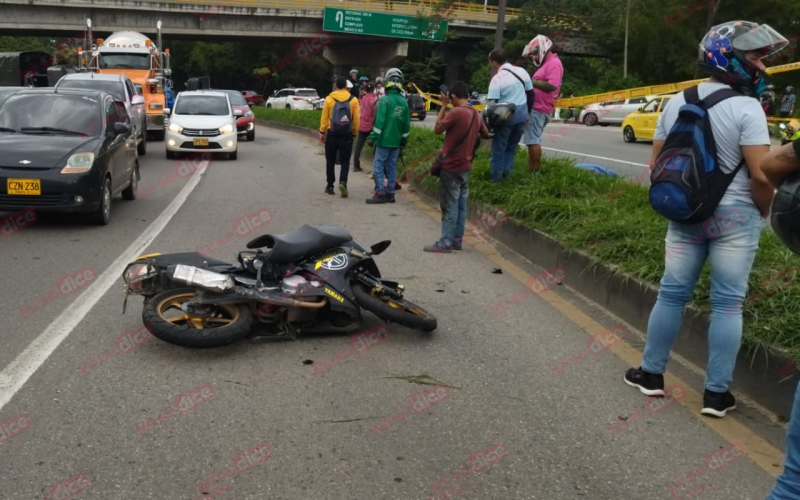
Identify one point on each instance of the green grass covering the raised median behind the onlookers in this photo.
(609, 219)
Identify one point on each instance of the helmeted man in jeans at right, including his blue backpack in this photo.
(707, 180)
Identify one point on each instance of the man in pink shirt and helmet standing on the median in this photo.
(546, 85)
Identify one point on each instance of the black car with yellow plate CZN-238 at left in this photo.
(66, 151)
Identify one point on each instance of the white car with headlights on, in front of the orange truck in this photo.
(202, 120)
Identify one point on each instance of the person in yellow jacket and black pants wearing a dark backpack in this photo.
(337, 128)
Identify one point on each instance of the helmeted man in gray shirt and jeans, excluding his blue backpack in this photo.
(731, 53)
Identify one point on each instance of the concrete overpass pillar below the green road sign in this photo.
(379, 56)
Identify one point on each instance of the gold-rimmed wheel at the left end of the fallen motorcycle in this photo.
(218, 325)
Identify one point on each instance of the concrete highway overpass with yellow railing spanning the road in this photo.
(257, 19)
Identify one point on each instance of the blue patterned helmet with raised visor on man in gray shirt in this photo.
(732, 53)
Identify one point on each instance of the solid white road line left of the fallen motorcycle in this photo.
(14, 376)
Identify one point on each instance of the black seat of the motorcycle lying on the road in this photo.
(304, 241)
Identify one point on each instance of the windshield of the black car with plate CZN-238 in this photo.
(77, 114)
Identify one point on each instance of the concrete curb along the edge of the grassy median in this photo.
(631, 300)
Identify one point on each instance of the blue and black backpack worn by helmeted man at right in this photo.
(687, 182)
